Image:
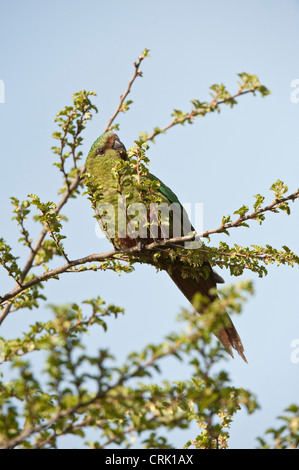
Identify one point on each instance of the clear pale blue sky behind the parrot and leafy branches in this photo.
(49, 50)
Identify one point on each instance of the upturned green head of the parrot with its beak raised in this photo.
(108, 145)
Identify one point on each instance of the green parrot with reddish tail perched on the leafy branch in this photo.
(105, 153)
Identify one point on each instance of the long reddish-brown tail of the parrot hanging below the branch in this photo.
(228, 336)
